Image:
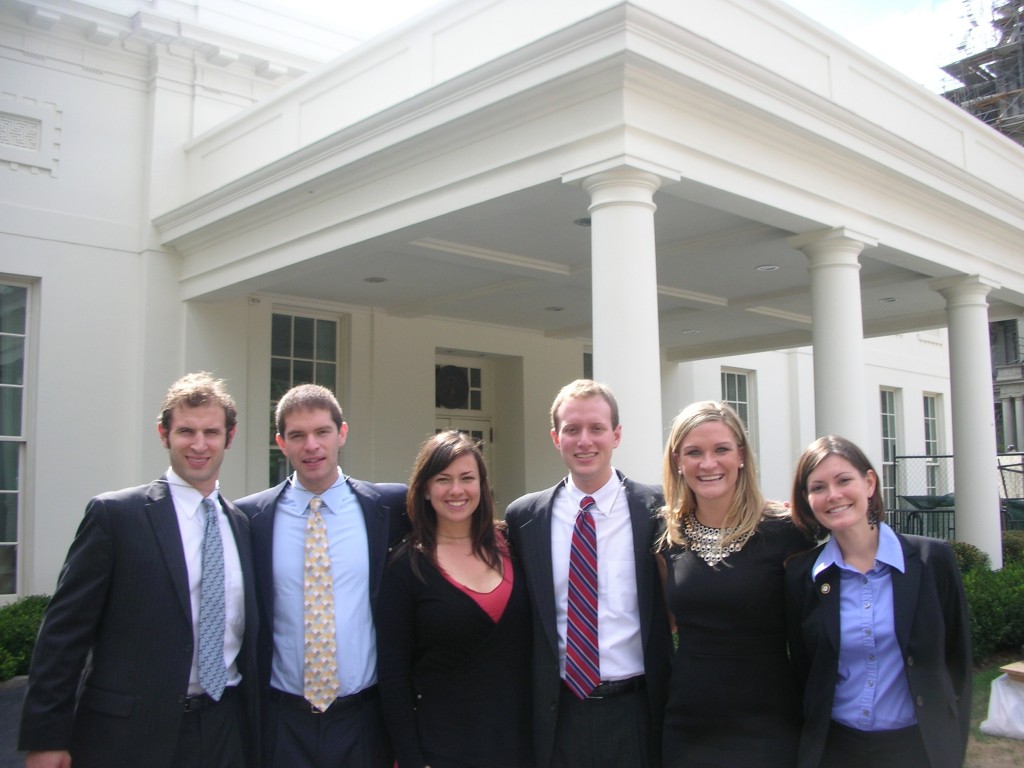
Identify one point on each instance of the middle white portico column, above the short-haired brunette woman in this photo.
(838, 332)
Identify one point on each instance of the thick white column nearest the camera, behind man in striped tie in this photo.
(624, 287)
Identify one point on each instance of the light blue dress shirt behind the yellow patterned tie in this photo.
(351, 569)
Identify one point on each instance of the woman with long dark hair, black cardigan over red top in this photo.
(454, 625)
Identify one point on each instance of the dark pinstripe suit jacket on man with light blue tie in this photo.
(123, 599)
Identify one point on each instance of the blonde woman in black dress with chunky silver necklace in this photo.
(734, 700)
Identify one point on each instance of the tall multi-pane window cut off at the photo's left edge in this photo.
(14, 338)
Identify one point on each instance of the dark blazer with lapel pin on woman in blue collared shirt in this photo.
(934, 635)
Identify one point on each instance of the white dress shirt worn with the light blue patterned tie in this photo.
(192, 524)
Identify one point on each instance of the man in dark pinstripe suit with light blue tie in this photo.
(117, 677)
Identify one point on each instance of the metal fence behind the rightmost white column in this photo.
(923, 499)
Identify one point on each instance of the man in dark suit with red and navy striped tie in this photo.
(618, 722)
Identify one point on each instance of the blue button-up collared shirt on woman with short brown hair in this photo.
(872, 693)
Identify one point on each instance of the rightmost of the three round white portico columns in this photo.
(975, 464)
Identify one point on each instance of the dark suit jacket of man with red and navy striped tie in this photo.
(530, 532)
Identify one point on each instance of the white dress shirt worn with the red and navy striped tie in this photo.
(620, 643)
